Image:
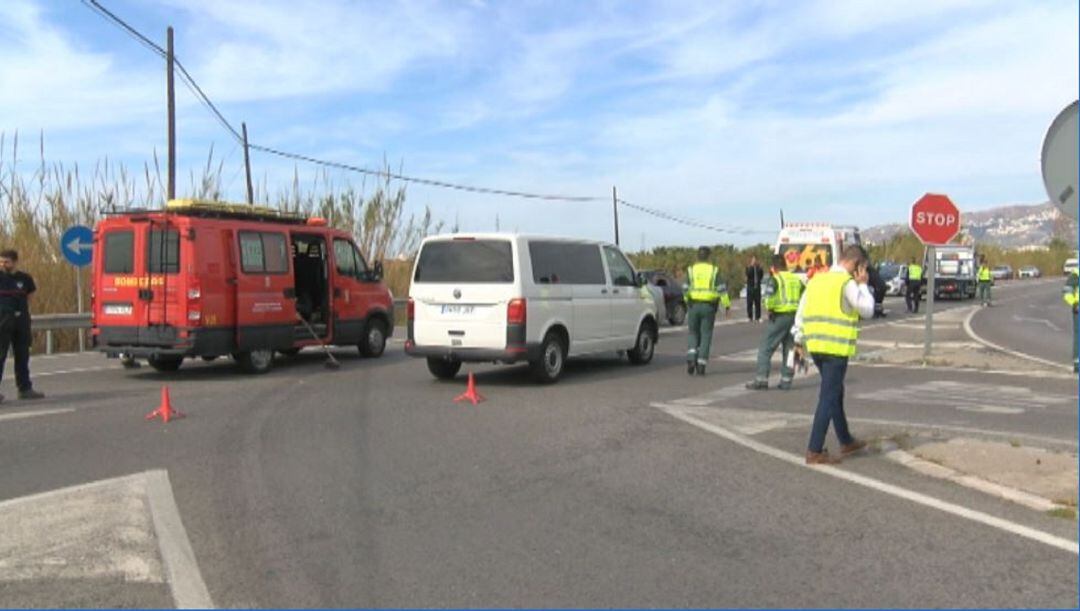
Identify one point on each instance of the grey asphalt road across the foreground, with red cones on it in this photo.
(368, 487)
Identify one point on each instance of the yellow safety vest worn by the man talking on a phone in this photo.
(827, 328)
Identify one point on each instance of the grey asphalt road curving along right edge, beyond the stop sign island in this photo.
(1036, 321)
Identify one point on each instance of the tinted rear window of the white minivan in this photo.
(477, 262)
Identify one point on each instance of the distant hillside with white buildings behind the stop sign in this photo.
(1010, 227)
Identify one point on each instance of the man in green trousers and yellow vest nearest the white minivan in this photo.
(705, 293)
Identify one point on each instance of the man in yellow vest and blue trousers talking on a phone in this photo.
(827, 325)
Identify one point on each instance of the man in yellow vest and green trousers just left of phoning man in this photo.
(782, 293)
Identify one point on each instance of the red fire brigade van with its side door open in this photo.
(207, 280)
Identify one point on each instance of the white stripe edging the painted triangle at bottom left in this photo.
(190, 591)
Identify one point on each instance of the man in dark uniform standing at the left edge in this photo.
(16, 290)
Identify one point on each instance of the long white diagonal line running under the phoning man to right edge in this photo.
(926, 500)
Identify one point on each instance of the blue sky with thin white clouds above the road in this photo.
(843, 111)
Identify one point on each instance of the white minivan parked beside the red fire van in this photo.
(510, 298)
